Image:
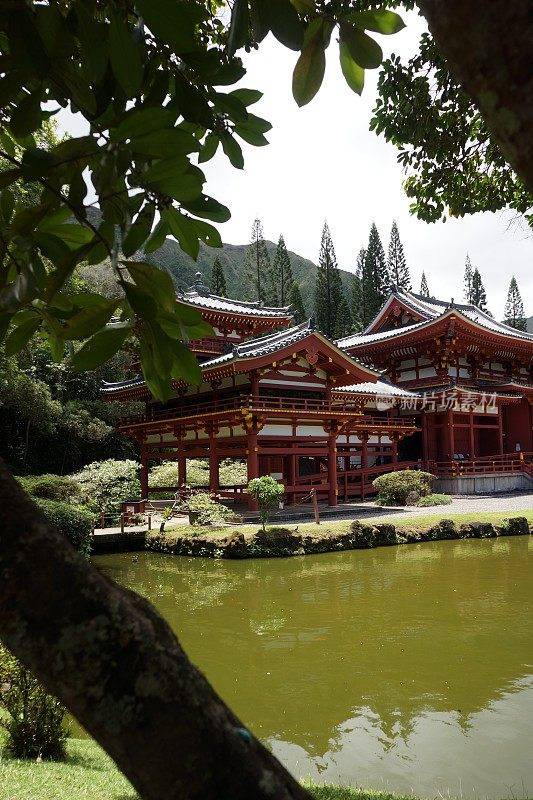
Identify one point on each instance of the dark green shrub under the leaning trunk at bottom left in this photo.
(34, 719)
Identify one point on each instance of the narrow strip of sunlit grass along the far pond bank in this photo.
(417, 521)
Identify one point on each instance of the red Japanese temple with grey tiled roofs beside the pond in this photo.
(428, 384)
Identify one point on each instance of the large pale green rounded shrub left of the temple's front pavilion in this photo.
(106, 484)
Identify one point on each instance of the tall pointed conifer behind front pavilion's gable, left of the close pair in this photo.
(329, 292)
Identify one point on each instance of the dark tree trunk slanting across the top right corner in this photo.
(489, 48)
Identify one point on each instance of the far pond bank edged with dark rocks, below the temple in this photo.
(282, 542)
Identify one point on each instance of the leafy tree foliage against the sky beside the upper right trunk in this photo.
(453, 164)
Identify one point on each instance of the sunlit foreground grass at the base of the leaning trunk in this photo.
(89, 774)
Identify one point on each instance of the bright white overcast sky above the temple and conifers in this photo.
(323, 163)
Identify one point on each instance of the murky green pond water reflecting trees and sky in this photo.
(404, 668)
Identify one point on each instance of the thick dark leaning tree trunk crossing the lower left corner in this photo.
(117, 666)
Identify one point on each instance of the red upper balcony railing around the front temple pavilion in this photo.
(265, 404)
